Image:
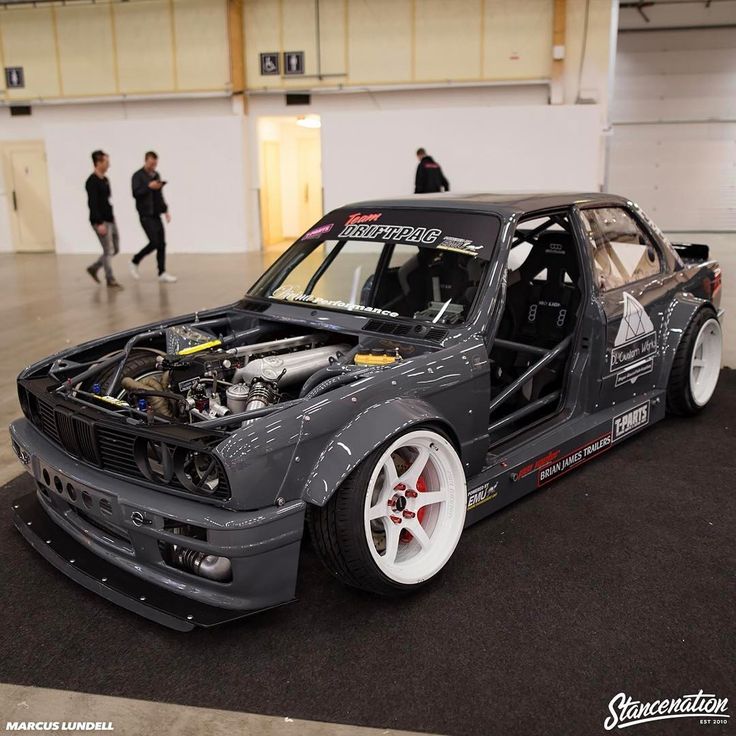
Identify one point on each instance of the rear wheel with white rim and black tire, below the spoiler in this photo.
(696, 366)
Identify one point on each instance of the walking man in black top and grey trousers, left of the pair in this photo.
(101, 218)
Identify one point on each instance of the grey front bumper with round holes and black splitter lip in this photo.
(108, 534)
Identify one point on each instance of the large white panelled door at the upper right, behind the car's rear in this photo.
(674, 122)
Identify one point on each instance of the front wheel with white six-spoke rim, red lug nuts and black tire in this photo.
(396, 519)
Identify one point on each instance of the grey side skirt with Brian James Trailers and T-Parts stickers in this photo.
(559, 450)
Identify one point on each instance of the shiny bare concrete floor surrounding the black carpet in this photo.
(49, 302)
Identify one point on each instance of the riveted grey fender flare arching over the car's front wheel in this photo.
(369, 429)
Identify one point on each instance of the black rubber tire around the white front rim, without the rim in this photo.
(338, 536)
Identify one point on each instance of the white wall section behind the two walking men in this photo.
(200, 145)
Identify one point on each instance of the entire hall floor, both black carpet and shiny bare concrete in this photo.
(616, 578)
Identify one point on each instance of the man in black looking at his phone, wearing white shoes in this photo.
(150, 203)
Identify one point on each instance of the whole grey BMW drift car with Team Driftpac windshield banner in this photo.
(405, 369)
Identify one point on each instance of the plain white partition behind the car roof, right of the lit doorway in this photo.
(502, 149)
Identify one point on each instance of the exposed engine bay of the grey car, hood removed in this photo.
(194, 374)
